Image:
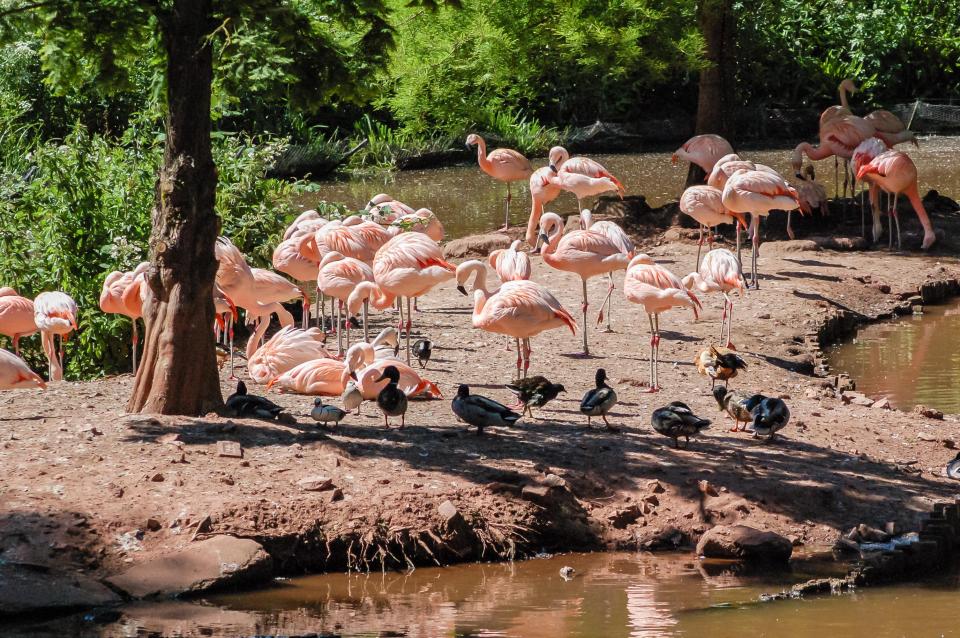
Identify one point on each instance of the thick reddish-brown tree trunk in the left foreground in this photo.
(178, 373)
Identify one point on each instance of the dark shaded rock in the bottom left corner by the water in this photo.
(34, 589)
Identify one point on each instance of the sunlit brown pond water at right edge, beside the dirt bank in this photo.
(912, 359)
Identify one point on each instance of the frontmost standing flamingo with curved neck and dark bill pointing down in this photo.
(519, 309)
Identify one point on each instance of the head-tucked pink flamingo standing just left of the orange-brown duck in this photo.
(657, 290)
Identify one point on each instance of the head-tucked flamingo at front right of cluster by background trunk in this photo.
(757, 193)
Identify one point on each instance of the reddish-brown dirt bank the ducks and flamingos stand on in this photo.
(90, 488)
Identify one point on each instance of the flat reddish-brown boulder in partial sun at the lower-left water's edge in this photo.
(214, 563)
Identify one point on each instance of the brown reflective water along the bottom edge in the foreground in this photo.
(611, 595)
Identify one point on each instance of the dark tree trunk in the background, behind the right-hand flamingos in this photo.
(716, 86)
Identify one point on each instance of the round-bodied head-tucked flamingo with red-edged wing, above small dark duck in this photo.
(410, 265)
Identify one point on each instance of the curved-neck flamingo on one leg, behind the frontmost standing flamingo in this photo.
(585, 252)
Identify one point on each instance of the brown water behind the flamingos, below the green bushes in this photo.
(467, 201)
